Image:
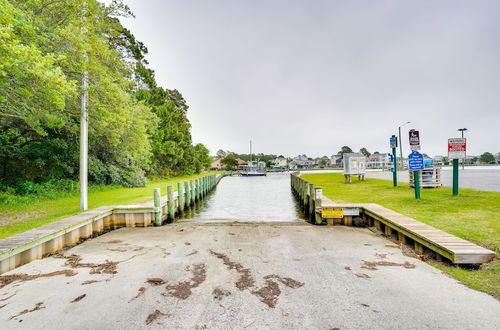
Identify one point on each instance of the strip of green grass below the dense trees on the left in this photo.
(21, 213)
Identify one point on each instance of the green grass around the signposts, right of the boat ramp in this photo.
(472, 215)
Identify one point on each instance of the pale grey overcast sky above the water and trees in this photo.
(312, 76)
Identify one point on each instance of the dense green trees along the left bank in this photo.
(136, 128)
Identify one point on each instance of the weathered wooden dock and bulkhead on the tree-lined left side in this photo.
(34, 244)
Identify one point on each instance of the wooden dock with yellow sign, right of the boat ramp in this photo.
(406, 230)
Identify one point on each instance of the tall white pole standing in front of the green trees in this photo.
(84, 133)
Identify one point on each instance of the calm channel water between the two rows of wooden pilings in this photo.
(249, 199)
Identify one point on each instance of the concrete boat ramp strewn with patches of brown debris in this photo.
(196, 276)
